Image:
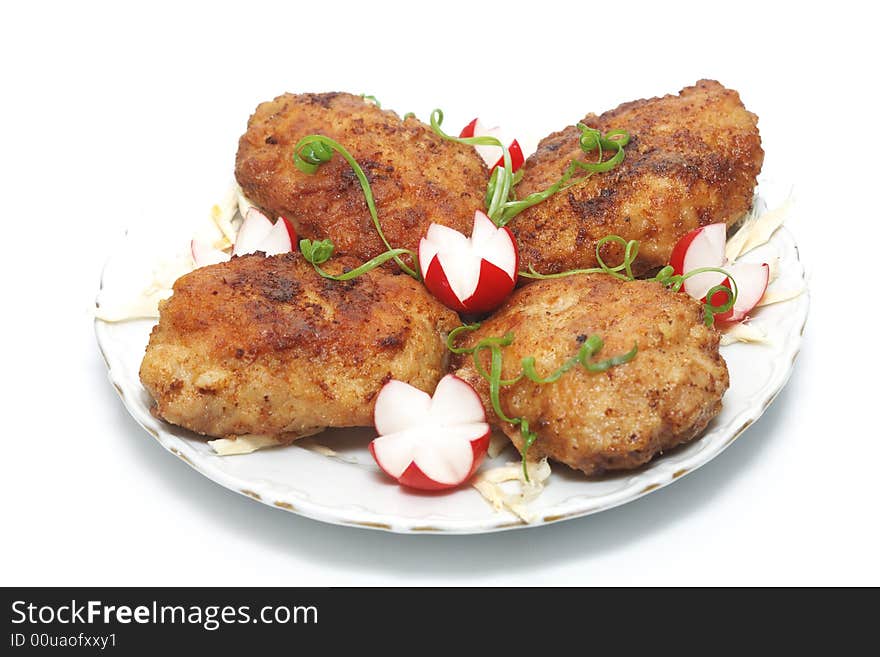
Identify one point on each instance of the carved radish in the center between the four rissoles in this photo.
(471, 275)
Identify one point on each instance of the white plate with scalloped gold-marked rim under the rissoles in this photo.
(348, 489)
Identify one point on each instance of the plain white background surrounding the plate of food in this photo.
(114, 116)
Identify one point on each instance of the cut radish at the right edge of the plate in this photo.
(704, 247)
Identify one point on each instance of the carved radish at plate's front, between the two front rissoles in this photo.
(430, 443)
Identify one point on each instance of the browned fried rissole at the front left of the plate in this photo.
(266, 346)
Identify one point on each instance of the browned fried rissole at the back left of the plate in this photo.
(417, 178)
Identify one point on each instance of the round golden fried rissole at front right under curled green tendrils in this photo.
(620, 418)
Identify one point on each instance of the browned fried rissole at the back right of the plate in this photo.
(692, 160)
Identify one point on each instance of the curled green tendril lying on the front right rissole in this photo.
(494, 345)
